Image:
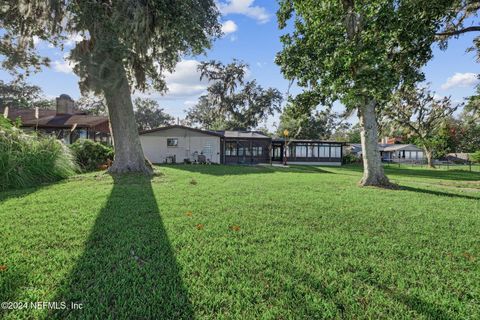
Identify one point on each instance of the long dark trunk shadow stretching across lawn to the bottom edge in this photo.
(128, 268)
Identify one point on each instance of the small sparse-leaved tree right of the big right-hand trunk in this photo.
(417, 111)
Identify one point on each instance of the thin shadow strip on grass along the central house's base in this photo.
(226, 170)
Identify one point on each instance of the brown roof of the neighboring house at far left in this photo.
(50, 119)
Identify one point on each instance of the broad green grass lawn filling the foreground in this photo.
(231, 242)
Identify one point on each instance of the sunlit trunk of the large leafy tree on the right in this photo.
(373, 174)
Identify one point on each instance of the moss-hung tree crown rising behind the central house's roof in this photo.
(230, 102)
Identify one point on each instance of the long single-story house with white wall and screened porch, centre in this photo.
(178, 143)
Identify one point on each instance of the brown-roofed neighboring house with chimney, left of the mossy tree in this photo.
(65, 123)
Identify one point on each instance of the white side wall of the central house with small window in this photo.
(155, 147)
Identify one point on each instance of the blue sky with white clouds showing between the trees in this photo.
(251, 34)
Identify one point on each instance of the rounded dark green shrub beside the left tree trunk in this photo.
(90, 155)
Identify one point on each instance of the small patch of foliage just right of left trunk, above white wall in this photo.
(149, 115)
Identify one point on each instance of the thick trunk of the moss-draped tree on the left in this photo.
(129, 155)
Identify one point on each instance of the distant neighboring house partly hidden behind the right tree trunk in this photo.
(393, 152)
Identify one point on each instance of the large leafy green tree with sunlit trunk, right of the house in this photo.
(358, 53)
